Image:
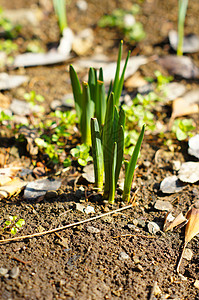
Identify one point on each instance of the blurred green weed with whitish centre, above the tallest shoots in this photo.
(120, 18)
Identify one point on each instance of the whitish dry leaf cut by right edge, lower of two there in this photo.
(189, 172)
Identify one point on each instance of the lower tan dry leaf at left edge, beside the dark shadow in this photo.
(13, 187)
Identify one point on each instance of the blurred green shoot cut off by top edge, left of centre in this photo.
(60, 10)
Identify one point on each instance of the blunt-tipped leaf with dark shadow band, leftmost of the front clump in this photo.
(97, 153)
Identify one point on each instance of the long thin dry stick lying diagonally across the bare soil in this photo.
(63, 227)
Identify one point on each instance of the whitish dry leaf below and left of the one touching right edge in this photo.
(171, 184)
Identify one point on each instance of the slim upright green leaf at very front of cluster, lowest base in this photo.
(112, 173)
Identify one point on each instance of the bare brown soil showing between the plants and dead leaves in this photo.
(122, 260)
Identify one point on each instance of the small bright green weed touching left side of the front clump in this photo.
(81, 153)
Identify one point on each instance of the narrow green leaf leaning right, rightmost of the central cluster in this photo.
(131, 167)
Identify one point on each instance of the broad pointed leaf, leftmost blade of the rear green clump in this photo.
(77, 92)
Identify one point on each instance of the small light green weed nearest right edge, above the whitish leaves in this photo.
(183, 128)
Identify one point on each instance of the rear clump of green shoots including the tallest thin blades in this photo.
(91, 100)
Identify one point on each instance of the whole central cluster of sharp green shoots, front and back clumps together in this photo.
(102, 124)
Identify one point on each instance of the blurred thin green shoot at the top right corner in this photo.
(182, 10)
